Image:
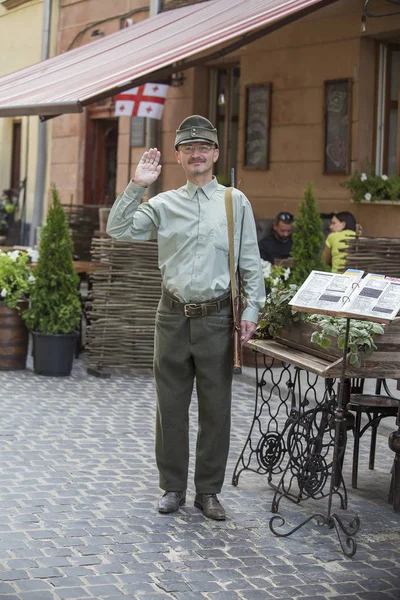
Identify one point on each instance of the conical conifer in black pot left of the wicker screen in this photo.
(55, 308)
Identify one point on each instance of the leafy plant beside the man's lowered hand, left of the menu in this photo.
(277, 312)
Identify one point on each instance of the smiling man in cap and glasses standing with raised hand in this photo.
(193, 336)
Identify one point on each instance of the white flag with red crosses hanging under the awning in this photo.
(144, 101)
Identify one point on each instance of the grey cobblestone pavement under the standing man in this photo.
(78, 515)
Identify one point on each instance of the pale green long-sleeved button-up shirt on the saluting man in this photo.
(191, 228)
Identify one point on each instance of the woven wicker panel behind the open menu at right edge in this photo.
(374, 255)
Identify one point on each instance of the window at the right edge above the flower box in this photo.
(387, 131)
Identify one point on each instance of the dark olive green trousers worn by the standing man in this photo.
(189, 350)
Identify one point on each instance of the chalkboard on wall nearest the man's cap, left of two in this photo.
(258, 111)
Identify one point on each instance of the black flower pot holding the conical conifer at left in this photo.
(53, 354)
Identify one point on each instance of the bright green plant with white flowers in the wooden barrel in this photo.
(16, 278)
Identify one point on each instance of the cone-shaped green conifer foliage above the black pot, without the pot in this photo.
(55, 305)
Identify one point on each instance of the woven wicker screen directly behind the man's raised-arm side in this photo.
(125, 291)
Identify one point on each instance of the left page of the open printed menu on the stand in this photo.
(323, 290)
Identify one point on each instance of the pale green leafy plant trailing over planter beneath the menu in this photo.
(360, 335)
